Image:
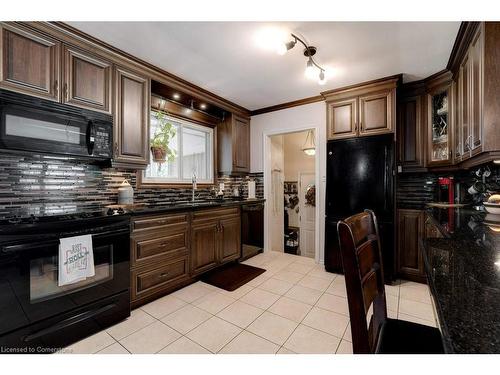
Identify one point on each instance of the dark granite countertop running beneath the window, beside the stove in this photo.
(188, 206)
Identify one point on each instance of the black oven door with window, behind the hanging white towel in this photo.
(29, 290)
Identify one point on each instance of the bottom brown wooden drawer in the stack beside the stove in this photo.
(147, 281)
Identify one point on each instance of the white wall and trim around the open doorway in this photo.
(288, 120)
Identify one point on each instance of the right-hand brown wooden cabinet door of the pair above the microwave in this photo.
(87, 80)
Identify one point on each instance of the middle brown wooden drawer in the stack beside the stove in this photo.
(151, 249)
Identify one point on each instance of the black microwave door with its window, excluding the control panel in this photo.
(32, 129)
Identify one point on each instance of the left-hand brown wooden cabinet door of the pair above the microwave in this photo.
(29, 63)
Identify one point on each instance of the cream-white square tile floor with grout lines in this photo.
(294, 307)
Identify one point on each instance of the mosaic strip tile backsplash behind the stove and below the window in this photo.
(49, 185)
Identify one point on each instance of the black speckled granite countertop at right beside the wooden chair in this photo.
(463, 270)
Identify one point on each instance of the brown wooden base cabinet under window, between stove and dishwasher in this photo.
(169, 251)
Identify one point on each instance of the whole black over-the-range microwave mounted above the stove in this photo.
(36, 125)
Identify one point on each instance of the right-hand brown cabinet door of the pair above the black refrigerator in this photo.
(376, 112)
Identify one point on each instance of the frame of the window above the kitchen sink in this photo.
(143, 182)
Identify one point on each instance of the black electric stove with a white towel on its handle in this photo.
(38, 316)
